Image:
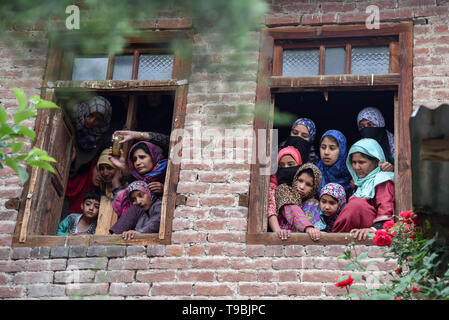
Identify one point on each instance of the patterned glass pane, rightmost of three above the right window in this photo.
(370, 60)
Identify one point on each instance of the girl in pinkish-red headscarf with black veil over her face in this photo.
(289, 160)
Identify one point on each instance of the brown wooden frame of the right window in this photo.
(270, 81)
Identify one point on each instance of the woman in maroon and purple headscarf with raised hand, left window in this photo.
(146, 163)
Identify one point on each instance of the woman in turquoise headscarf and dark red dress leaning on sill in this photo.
(373, 202)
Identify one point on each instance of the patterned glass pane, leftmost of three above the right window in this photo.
(301, 62)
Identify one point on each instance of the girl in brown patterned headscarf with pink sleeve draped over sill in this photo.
(298, 210)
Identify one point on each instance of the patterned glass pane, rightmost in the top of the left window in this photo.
(155, 67)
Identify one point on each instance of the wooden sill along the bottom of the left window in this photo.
(88, 240)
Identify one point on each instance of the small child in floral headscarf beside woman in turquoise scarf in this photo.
(332, 201)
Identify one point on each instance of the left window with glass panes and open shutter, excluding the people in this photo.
(146, 71)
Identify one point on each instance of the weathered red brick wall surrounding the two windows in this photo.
(208, 257)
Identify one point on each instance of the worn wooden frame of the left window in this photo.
(57, 75)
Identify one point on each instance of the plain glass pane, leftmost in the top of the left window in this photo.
(92, 68)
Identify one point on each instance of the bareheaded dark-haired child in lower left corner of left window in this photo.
(85, 222)
